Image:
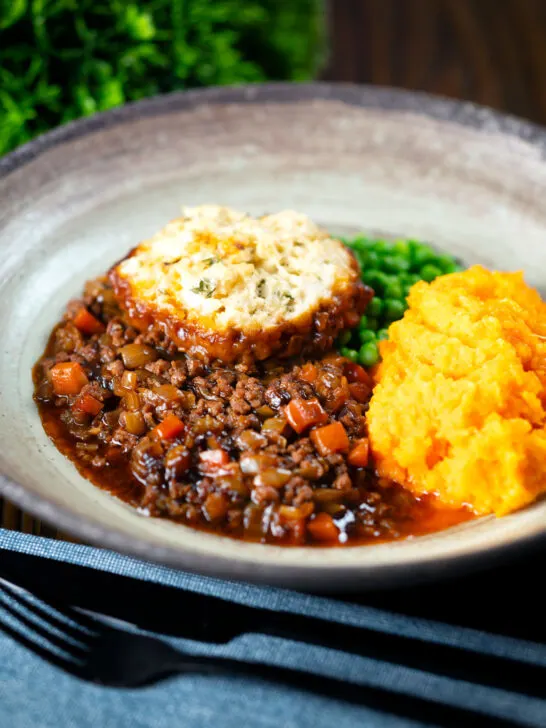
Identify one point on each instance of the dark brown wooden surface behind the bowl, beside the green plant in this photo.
(492, 52)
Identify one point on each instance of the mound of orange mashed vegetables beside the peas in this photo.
(459, 404)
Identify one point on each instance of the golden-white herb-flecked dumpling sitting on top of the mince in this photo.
(229, 286)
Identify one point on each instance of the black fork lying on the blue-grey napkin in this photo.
(96, 651)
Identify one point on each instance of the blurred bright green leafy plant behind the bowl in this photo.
(61, 59)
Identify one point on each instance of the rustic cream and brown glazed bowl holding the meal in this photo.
(72, 202)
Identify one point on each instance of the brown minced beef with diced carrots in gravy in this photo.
(273, 452)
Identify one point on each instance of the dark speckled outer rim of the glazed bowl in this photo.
(465, 114)
